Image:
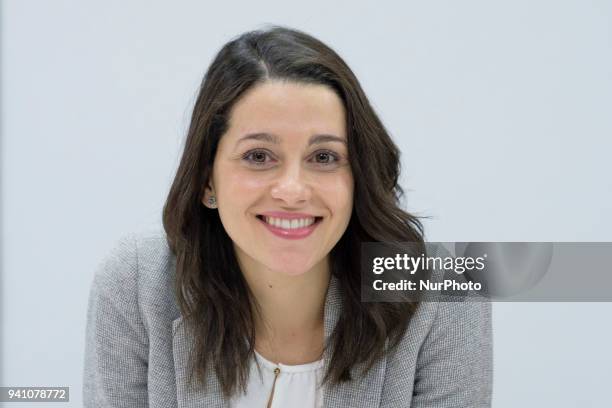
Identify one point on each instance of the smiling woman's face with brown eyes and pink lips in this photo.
(284, 156)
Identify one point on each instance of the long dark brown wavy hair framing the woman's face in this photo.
(212, 294)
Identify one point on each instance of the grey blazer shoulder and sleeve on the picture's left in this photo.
(128, 316)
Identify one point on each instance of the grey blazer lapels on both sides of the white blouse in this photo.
(366, 388)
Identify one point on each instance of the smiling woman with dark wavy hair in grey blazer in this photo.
(250, 297)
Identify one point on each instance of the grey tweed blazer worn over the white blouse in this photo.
(136, 352)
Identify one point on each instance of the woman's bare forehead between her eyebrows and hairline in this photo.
(286, 109)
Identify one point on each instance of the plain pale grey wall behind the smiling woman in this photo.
(501, 110)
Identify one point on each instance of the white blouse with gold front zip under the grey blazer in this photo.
(296, 385)
